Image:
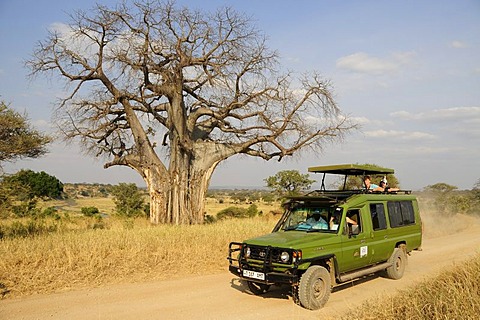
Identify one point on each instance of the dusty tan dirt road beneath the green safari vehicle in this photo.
(222, 296)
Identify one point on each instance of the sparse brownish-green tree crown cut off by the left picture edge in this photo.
(17, 138)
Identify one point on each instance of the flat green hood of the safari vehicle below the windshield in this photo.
(292, 239)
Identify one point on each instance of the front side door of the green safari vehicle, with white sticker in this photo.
(354, 246)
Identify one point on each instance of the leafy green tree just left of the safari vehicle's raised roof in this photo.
(289, 182)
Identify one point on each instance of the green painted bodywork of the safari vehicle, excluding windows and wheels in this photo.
(351, 252)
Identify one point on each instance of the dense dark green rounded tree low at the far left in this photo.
(32, 184)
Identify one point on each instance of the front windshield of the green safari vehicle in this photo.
(312, 218)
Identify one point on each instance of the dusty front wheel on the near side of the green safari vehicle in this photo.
(315, 287)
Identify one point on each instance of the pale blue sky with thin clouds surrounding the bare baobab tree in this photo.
(407, 71)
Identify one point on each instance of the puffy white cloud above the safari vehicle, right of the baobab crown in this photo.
(361, 62)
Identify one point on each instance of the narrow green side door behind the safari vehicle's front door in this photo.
(379, 244)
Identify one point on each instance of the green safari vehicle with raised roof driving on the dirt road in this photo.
(328, 237)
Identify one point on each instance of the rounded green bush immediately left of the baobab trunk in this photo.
(128, 199)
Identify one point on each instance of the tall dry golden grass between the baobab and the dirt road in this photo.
(126, 251)
